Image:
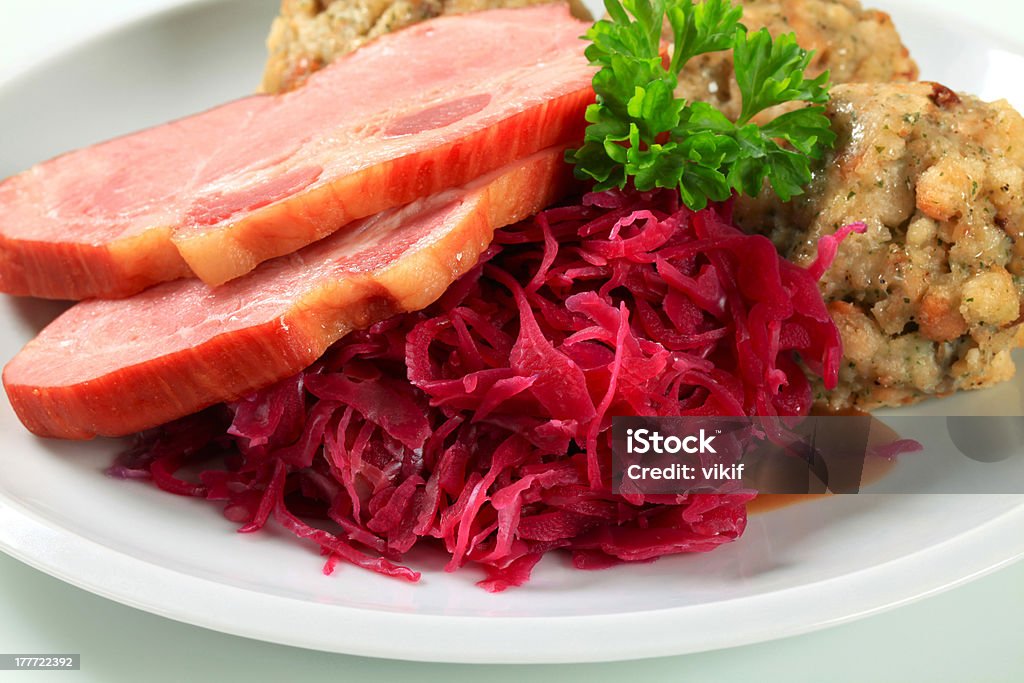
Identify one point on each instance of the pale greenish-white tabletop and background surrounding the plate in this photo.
(972, 634)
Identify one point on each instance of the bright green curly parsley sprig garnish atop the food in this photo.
(639, 130)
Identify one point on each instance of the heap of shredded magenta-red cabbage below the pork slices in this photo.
(484, 422)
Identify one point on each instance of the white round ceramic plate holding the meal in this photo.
(795, 571)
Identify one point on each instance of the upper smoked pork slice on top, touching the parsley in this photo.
(429, 108)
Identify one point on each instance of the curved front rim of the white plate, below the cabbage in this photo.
(962, 559)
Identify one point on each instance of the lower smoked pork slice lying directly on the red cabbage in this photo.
(116, 367)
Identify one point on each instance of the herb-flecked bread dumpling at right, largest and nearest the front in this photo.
(929, 300)
